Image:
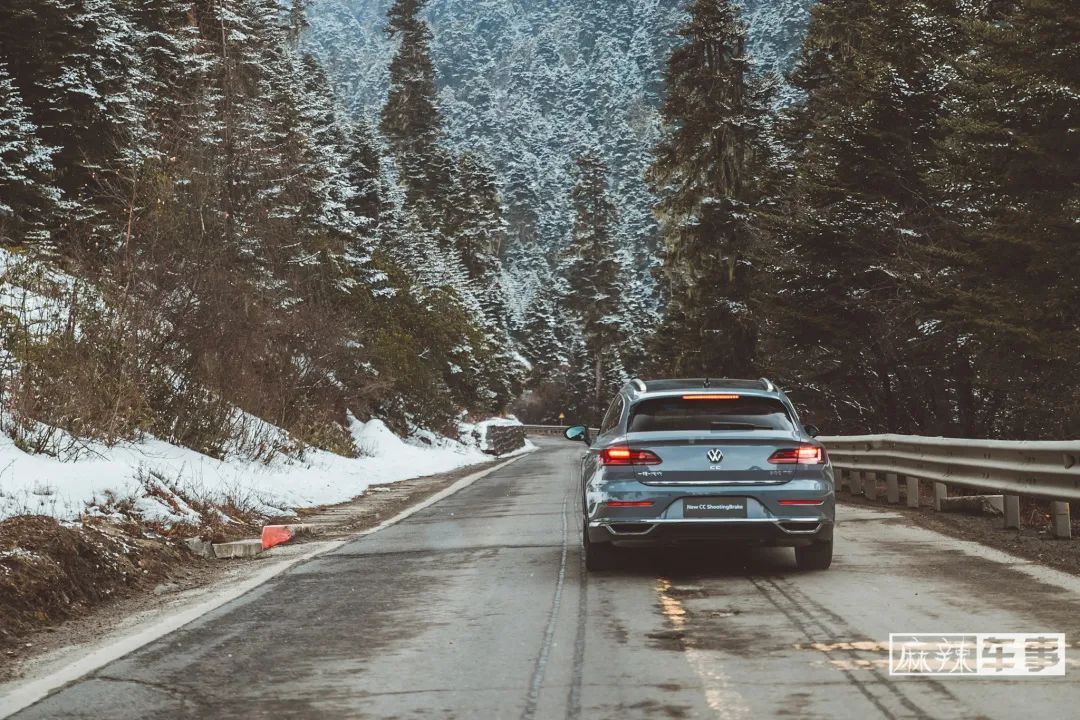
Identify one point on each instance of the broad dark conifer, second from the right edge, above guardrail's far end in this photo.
(863, 224)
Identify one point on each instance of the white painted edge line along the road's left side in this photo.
(38, 690)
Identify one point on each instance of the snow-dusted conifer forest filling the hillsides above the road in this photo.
(302, 211)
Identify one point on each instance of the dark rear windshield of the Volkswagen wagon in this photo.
(676, 414)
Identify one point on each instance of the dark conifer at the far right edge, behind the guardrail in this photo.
(1009, 179)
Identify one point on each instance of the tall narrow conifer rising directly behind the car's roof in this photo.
(710, 174)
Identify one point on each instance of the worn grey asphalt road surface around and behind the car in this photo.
(478, 607)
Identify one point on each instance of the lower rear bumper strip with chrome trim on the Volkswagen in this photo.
(664, 532)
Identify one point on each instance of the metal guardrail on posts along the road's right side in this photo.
(1046, 470)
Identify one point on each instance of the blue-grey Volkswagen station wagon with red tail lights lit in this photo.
(700, 461)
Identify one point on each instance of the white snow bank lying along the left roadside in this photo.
(34, 484)
